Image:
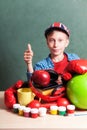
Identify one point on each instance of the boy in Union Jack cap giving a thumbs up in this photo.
(57, 38)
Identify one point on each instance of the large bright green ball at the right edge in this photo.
(77, 91)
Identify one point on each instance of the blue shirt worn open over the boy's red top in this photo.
(47, 63)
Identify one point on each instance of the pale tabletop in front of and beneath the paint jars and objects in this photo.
(12, 121)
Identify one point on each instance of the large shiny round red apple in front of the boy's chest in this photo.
(41, 77)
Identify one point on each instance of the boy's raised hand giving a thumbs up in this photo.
(28, 55)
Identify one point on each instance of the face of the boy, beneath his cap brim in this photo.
(57, 42)
